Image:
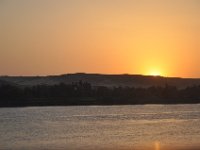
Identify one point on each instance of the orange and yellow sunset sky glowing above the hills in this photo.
(42, 37)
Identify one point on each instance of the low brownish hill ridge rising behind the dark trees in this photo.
(123, 80)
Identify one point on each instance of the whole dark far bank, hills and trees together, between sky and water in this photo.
(97, 89)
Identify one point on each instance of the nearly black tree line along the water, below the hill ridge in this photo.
(82, 93)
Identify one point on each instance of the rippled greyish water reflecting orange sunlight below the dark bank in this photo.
(100, 127)
